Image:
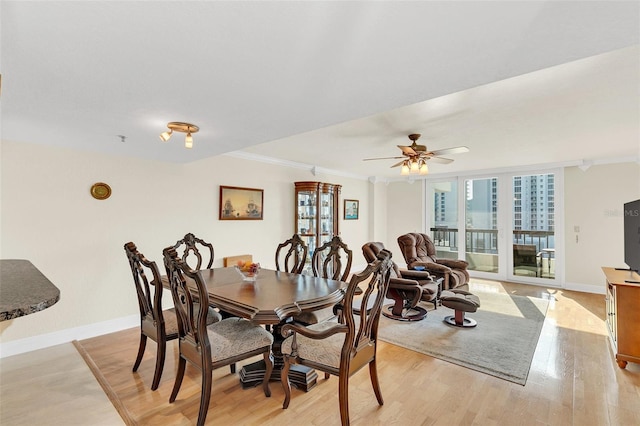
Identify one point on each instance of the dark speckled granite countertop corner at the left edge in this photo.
(24, 289)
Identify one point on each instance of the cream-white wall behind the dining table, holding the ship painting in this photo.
(49, 218)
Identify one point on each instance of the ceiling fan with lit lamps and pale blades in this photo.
(414, 157)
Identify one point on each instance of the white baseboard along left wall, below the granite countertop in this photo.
(29, 344)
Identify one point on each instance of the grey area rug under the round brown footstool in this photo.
(502, 344)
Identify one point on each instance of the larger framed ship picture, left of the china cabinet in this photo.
(240, 203)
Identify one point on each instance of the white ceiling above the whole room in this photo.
(327, 83)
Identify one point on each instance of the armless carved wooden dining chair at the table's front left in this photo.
(210, 347)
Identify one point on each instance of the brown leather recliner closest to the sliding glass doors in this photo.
(419, 250)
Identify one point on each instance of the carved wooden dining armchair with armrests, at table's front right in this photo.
(344, 347)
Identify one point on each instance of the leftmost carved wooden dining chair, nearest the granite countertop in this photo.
(155, 323)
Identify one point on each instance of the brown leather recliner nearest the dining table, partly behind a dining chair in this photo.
(407, 288)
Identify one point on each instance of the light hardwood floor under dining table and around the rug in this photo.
(573, 381)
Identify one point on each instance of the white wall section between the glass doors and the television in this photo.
(594, 202)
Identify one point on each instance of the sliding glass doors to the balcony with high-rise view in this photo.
(508, 224)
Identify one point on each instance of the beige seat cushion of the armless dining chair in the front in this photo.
(223, 347)
